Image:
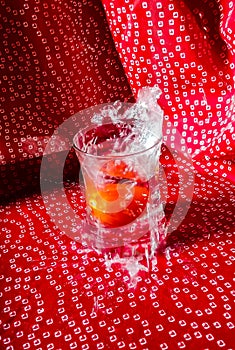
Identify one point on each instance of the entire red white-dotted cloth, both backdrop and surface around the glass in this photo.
(58, 58)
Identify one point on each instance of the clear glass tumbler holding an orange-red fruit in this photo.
(119, 163)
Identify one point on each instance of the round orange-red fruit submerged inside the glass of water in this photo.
(121, 195)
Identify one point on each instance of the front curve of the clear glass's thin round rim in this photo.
(114, 155)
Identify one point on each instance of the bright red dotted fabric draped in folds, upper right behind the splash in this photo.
(187, 48)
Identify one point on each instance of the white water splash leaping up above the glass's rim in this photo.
(147, 115)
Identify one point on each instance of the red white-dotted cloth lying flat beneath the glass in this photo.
(56, 295)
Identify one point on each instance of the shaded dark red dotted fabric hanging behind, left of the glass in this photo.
(56, 59)
